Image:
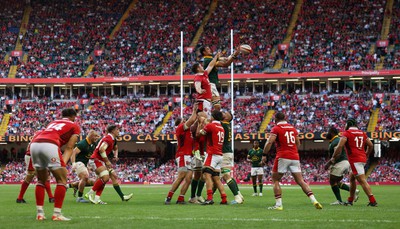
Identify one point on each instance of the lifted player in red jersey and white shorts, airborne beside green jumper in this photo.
(203, 86)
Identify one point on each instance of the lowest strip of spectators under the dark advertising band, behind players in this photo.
(149, 171)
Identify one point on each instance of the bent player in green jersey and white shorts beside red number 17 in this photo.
(337, 169)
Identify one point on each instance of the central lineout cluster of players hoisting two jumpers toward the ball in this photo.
(208, 130)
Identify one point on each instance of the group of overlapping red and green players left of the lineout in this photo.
(45, 156)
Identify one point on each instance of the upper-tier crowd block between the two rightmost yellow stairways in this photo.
(336, 36)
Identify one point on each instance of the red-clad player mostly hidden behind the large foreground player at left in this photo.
(30, 173)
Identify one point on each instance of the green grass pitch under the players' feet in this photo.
(147, 210)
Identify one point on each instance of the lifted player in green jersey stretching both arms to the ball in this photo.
(206, 52)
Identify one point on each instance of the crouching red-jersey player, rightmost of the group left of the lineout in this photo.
(100, 163)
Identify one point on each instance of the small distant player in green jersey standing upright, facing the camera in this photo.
(257, 171)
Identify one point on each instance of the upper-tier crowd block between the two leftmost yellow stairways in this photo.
(62, 35)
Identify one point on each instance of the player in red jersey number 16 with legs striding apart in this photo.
(287, 159)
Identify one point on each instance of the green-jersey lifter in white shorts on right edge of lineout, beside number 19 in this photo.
(227, 159)
